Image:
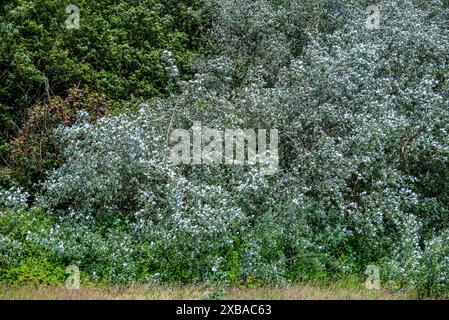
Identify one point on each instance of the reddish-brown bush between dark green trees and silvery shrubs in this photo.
(34, 152)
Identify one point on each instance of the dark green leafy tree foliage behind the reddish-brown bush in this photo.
(116, 52)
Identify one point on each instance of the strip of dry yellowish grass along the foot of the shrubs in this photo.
(188, 292)
